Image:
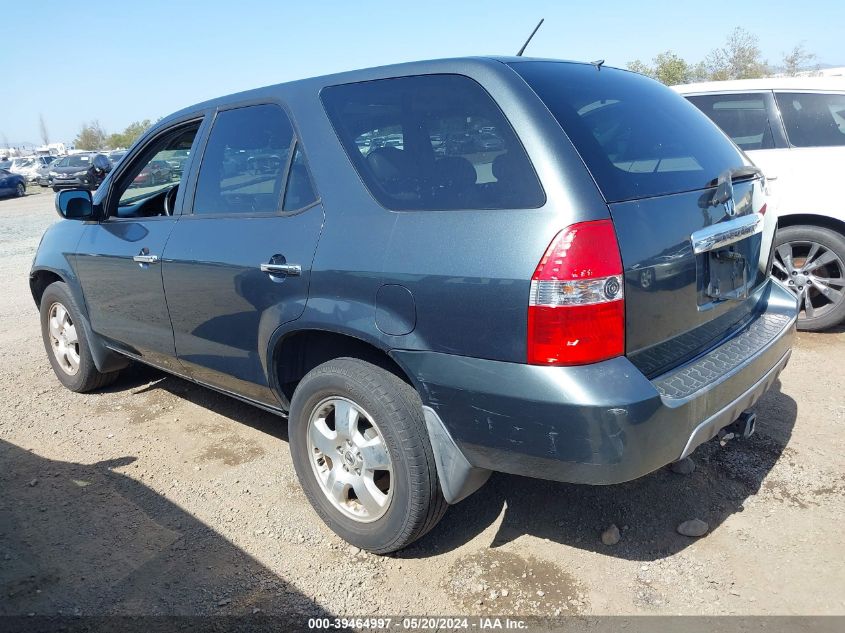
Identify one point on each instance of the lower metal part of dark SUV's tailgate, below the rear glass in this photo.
(691, 270)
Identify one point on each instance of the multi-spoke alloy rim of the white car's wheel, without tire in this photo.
(813, 273)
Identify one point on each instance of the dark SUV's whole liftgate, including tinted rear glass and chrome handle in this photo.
(656, 160)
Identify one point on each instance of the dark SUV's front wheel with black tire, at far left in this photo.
(69, 353)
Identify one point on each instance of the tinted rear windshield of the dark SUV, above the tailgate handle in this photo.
(638, 138)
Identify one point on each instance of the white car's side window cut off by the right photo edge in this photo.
(813, 119)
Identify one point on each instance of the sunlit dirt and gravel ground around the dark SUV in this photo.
(158, 496)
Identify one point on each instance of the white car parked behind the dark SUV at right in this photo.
(794, 129)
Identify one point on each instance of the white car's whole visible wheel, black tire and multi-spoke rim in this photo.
(821, 291)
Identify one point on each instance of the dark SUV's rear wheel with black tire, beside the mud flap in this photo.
(414, 502)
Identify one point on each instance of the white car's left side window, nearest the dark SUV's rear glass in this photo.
(743, 117)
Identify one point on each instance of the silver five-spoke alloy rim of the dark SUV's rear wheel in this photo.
(350, 459)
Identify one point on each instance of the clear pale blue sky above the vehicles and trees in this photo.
(119, 62)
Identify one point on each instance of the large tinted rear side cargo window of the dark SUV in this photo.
(432, 142)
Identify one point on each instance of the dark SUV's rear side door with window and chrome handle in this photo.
(238, 263)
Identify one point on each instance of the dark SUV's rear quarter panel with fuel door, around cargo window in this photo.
(468, 271)
